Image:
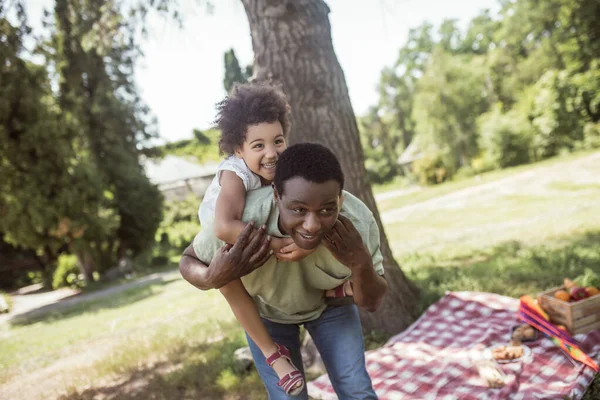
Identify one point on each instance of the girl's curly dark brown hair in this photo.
(249, 104)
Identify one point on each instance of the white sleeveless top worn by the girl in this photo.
(251, 181)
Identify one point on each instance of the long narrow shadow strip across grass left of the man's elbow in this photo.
(75, 305)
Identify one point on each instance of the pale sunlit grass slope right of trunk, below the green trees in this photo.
(545, 204)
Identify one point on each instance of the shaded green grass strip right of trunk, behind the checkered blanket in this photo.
(510, 269)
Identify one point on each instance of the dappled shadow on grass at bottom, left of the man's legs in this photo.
(202, 371)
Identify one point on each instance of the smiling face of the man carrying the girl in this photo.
(308, 210)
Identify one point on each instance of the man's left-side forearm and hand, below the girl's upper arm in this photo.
(249, 252)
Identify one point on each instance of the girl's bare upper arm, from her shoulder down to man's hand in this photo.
(230, 207)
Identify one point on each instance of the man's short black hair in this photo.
(311, 161)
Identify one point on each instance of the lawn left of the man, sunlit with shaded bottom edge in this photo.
(167, 337)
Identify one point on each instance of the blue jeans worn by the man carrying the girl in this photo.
(337, 333)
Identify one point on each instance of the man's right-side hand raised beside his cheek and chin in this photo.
(346, 244)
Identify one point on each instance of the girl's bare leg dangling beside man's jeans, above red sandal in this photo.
(246, 312)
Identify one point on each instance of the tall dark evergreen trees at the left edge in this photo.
(72, 127)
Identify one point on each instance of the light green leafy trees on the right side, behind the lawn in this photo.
(535, 63)
